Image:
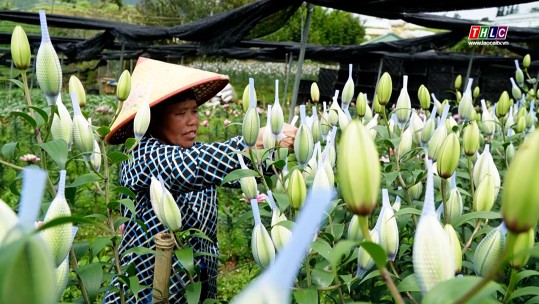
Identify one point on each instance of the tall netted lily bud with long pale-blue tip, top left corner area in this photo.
(48, 70)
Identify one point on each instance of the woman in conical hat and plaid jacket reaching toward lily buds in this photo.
(191, 170)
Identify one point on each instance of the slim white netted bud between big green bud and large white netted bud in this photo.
(389, 230)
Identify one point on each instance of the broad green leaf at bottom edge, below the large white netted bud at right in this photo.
(451, 290)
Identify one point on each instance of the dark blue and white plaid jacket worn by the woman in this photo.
(191, 175)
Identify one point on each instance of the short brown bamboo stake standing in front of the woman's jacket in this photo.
(164, 243)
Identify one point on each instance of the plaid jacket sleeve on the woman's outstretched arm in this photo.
(186, 170)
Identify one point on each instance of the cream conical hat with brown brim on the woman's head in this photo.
(168, 80)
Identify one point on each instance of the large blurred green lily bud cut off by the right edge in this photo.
(520, 207)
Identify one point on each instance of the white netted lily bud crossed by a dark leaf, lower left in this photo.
(59, 238)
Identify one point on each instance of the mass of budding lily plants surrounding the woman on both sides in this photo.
(438, 203)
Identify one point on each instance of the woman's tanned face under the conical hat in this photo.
(180, 124)
